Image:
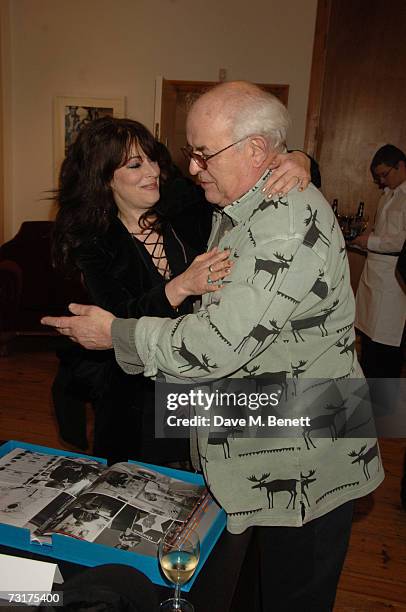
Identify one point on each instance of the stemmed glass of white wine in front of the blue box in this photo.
(179, 553)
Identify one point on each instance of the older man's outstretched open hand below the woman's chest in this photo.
(90, 327)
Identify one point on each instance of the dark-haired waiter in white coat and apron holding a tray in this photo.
(380, 301)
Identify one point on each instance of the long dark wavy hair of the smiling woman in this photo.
(86, 205)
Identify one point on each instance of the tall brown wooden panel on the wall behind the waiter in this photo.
(357, 98)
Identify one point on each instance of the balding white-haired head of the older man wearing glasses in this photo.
(238, 129)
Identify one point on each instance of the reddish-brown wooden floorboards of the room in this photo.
(374, 576)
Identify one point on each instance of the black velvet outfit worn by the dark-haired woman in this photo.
(120, 276)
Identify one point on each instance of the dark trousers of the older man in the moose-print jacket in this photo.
(300, 566)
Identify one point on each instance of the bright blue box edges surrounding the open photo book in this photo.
(91, 554)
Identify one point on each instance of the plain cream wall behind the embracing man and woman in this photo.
(101, 48)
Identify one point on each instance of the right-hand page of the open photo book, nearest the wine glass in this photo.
(129, 507)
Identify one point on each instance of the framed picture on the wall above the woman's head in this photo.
(71, 114)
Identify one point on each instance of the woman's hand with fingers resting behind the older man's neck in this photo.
(289, 170)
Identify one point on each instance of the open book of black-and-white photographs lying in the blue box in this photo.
(126, 506)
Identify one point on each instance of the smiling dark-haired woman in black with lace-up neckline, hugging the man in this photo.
(131, 248)
